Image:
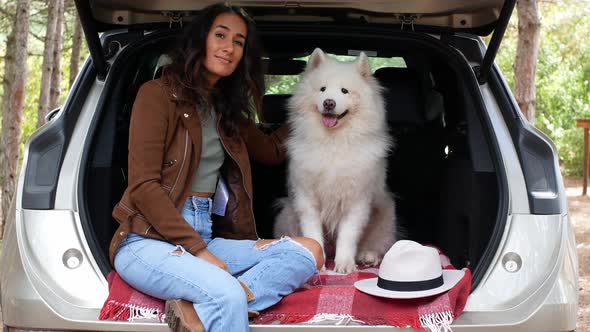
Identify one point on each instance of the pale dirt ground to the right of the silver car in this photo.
(579, 209)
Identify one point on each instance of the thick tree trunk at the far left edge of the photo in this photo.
(13, 104)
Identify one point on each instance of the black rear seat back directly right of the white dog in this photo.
(414, 114)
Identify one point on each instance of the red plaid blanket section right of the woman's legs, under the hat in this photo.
(331, 298)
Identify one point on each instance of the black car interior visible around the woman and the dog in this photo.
(443, 196)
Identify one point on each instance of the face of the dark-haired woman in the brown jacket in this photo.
(225, 46)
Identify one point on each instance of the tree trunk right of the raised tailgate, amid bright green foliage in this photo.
(526, 57)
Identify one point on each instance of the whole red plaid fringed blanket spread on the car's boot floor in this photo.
(328, 298)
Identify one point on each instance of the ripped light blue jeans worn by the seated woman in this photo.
(166, 271)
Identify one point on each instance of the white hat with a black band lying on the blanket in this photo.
(410, 270)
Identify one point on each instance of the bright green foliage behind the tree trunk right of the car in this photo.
(563, 75)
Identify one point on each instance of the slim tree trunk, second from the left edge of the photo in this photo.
(48, 60)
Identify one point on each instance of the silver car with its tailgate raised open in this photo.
(470, 175)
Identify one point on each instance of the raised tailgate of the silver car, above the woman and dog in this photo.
(479, 17)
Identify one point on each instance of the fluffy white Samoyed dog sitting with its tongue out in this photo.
(337, 148)
